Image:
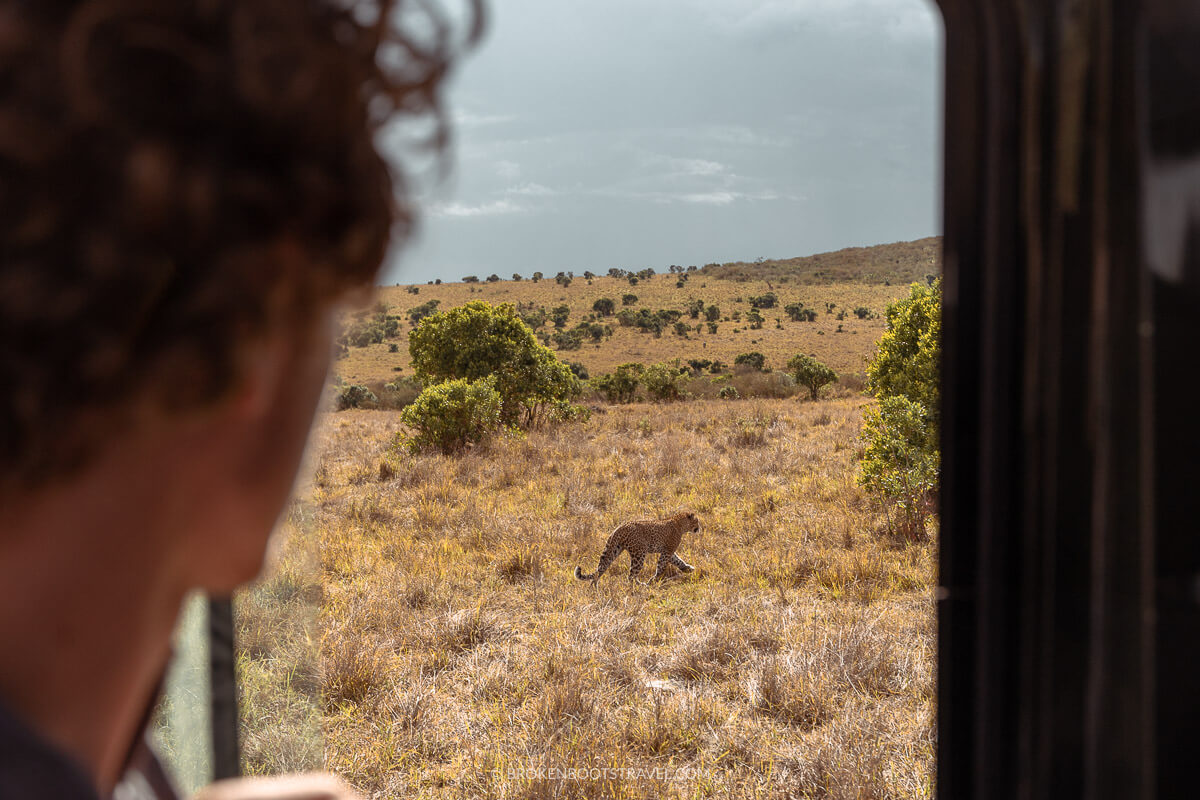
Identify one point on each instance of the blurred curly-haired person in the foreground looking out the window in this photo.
(189, 193)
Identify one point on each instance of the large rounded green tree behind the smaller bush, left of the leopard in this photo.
(481, 340)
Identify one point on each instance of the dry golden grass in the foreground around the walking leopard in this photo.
(457, 657)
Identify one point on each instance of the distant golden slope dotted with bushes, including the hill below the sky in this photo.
(833, 285)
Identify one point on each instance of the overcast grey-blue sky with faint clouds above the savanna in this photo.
(633, 134)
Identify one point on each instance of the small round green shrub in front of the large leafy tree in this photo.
(453, 414)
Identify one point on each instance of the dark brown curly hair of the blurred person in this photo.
(154, 157)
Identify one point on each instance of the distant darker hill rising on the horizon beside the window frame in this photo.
(898, 263)
